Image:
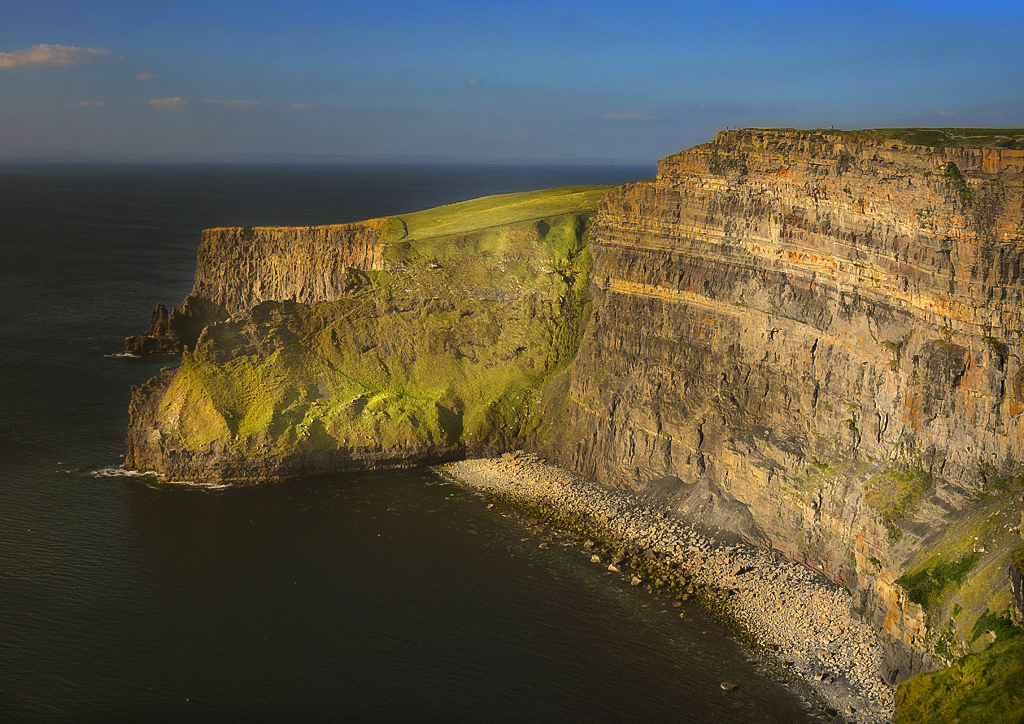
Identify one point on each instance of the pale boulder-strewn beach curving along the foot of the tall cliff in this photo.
(797, 620)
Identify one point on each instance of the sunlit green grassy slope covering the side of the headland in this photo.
(481, 308)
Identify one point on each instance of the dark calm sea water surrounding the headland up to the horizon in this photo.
(381, 599)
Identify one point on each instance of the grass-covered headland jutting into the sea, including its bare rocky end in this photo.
(415, 340)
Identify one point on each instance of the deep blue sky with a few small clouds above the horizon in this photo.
(513, 80)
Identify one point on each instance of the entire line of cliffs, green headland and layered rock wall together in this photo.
(810, 339)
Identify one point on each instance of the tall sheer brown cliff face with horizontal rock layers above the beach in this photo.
(814, 342)
